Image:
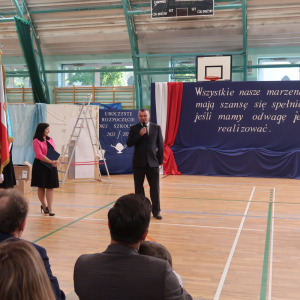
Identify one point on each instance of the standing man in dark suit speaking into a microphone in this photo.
(148, 155)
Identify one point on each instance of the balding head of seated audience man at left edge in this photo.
(13, 212)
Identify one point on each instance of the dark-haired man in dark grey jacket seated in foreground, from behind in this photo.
(120, 272)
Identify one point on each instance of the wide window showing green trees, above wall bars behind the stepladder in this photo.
(97, 78)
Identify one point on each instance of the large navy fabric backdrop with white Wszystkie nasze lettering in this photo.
(239, 128)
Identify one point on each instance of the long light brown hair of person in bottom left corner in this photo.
(23, 275)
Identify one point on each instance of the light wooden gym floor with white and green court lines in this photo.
(230, 237)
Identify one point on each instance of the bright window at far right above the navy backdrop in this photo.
(279, 74)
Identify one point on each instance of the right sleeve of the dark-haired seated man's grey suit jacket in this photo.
(173, 289)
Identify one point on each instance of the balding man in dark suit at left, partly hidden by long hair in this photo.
(13, 213)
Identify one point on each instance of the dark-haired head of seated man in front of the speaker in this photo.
(129, 219)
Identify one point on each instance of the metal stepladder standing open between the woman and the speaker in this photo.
(84, 119)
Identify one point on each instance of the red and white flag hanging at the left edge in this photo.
(4, 143)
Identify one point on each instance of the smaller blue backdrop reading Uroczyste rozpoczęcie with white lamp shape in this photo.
(114, 125)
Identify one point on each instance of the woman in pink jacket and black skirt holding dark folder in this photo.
(42, 177)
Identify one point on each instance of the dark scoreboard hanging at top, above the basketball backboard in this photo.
(181, 8)
